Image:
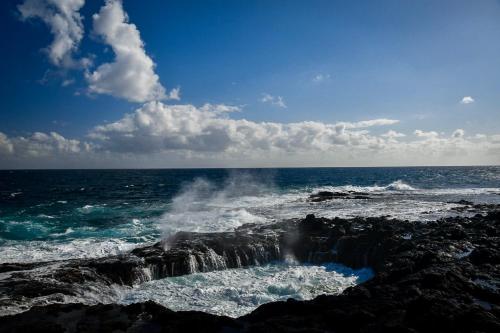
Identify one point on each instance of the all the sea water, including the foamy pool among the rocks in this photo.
(50, 215)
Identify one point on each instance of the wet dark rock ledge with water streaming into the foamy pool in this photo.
(184, 253)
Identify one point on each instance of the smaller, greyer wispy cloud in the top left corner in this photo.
(65, 23)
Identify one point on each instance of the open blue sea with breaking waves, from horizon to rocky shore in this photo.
(73, 210)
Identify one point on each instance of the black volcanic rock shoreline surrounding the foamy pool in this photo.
(437, 276)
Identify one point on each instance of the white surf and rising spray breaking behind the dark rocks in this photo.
(202, 207)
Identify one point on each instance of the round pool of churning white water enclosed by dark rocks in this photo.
(235, 292)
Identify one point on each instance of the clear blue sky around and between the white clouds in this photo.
(326, 61)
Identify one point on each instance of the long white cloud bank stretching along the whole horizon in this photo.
(161, 135)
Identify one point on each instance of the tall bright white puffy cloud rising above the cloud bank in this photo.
(131, 75)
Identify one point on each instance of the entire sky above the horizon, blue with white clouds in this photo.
(159, 84)
